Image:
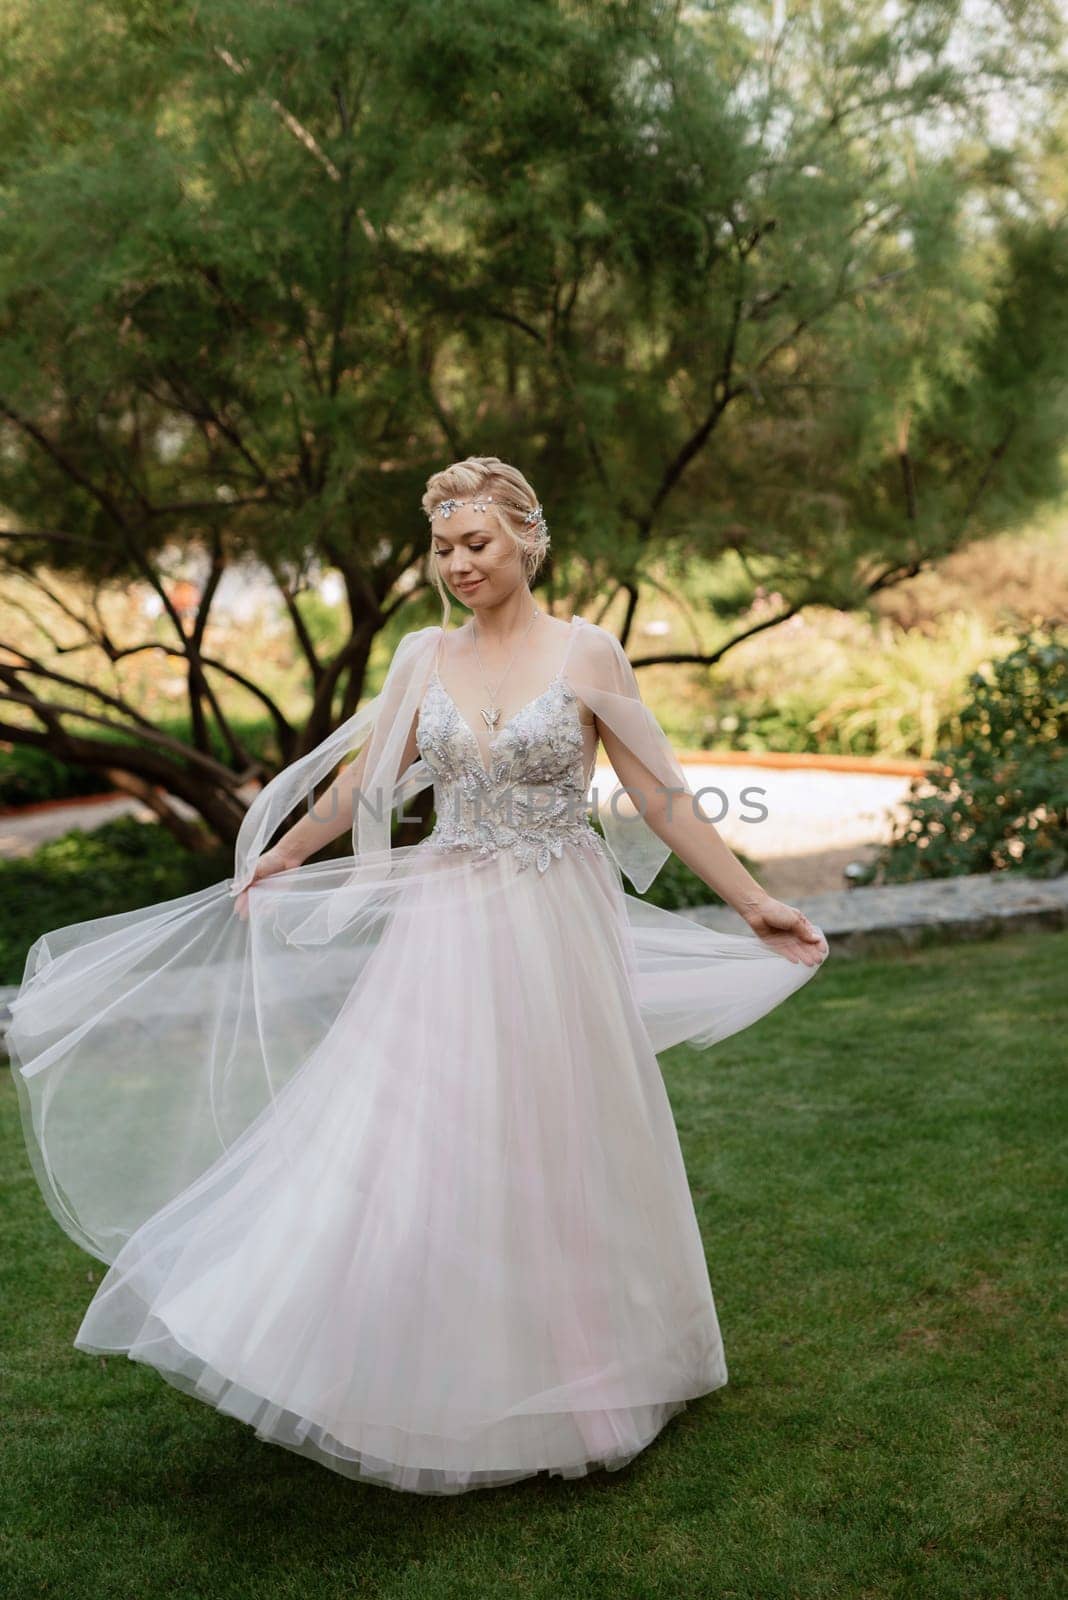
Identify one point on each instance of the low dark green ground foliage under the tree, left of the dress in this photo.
(119, 866)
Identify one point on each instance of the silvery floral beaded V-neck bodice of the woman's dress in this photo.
(532, 798)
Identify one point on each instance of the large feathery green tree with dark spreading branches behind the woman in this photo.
(719, 281)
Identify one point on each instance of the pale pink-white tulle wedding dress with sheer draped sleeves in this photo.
(388, 1170)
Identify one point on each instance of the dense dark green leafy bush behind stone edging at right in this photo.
(1000, 801)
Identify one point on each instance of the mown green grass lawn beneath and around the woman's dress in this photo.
(877, 1177)
